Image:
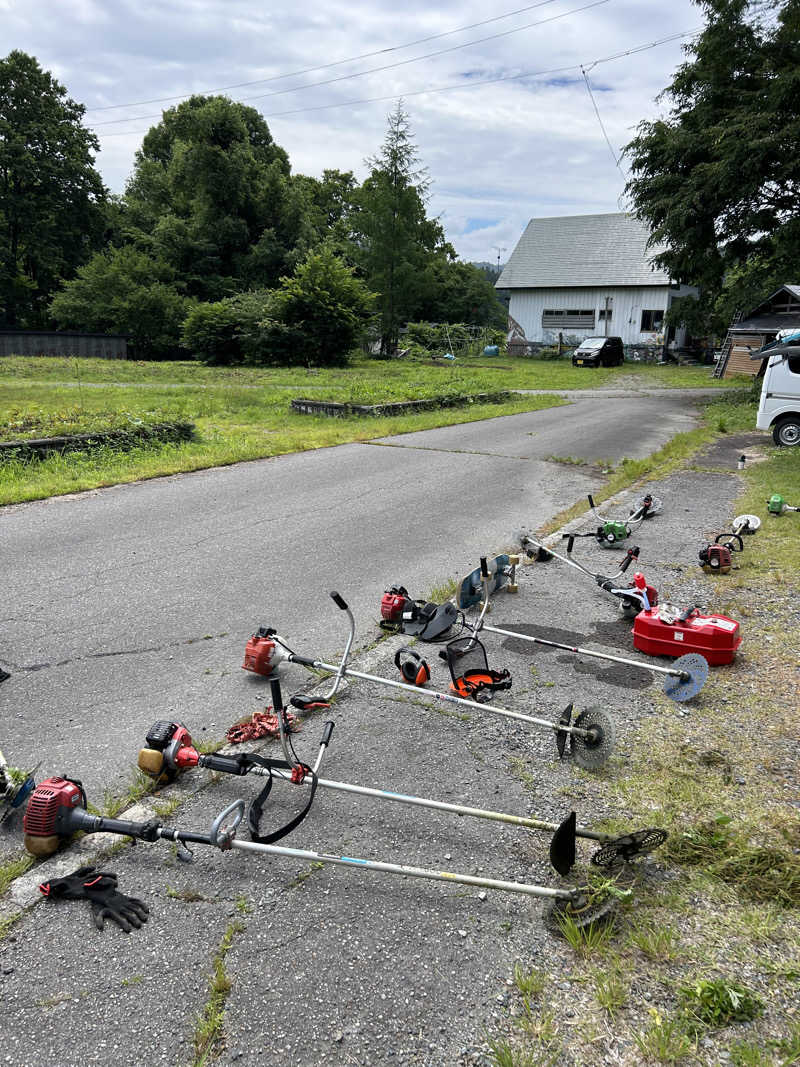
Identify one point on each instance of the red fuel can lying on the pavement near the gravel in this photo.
(664, 631)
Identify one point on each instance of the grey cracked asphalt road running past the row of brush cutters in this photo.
(127, 606)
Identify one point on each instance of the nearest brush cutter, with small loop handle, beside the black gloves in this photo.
(57, 810)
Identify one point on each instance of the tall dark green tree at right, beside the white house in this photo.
(718, 179)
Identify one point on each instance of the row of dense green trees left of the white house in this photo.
(216, 248)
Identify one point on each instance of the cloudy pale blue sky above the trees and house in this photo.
(500, 108)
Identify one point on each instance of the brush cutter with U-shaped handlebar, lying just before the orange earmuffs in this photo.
(591, 737)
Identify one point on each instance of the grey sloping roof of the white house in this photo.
(582, 250)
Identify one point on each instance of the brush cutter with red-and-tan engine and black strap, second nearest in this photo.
(179, 755)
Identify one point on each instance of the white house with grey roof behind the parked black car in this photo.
(588, 275)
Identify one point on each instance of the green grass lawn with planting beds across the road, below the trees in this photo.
(244, 413)
